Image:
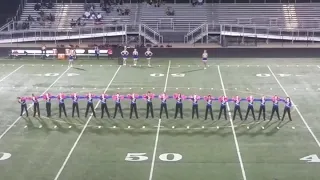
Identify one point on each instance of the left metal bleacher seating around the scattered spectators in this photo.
(64, 13)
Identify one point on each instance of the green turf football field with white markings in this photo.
(153, 149)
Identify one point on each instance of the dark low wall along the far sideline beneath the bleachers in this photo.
(197, 52)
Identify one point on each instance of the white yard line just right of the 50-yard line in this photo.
(233, 131)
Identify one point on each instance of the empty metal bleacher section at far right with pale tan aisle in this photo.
(289, 16)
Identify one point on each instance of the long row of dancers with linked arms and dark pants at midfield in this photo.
(149, 97)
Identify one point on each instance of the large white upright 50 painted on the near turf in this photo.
(168, 157)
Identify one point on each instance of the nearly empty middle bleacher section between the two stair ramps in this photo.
(185, 19)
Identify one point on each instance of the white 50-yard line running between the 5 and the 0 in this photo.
(158, 129)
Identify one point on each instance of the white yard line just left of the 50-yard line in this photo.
(83, 129)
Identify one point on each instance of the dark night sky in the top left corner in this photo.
(8, 9)
